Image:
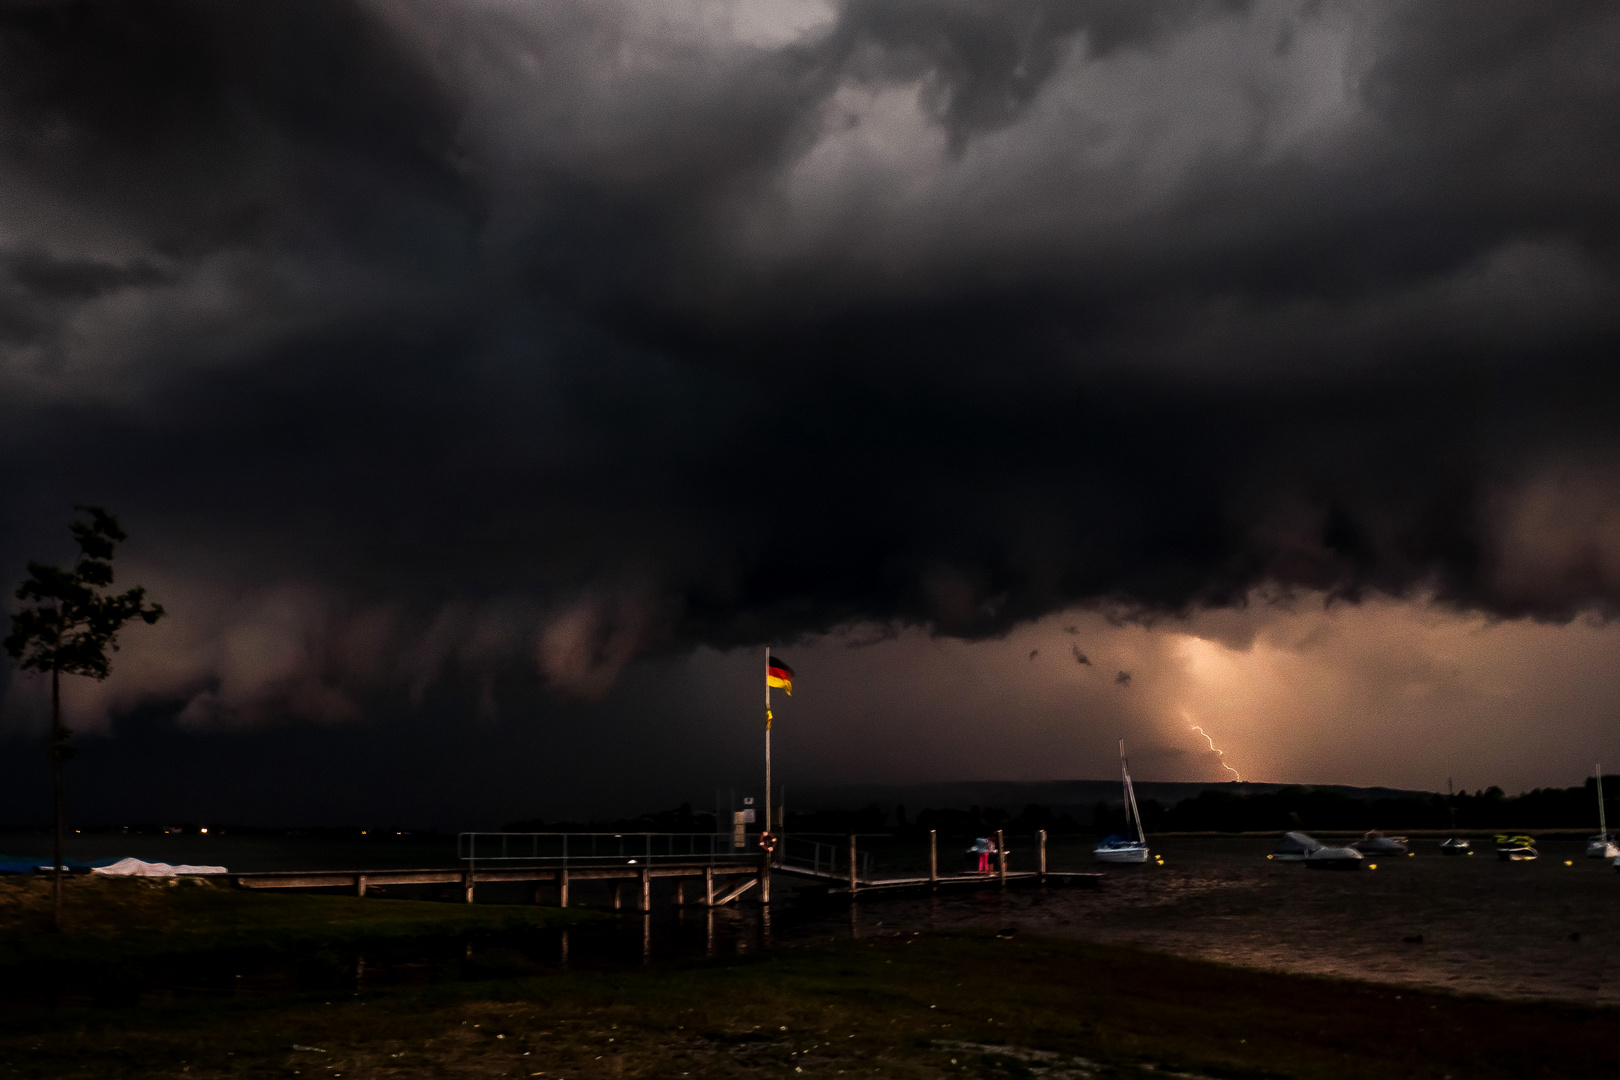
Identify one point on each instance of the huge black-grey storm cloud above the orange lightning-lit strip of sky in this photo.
(555, 334)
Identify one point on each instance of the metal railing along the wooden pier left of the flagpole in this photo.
(602, 849)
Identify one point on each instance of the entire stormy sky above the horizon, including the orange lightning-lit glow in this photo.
(485, 383)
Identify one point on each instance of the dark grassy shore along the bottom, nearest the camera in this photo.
(902, 1006)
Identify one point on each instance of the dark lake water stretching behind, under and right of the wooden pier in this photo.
(1541, 930)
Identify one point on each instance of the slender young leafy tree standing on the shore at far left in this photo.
(67, 626)
